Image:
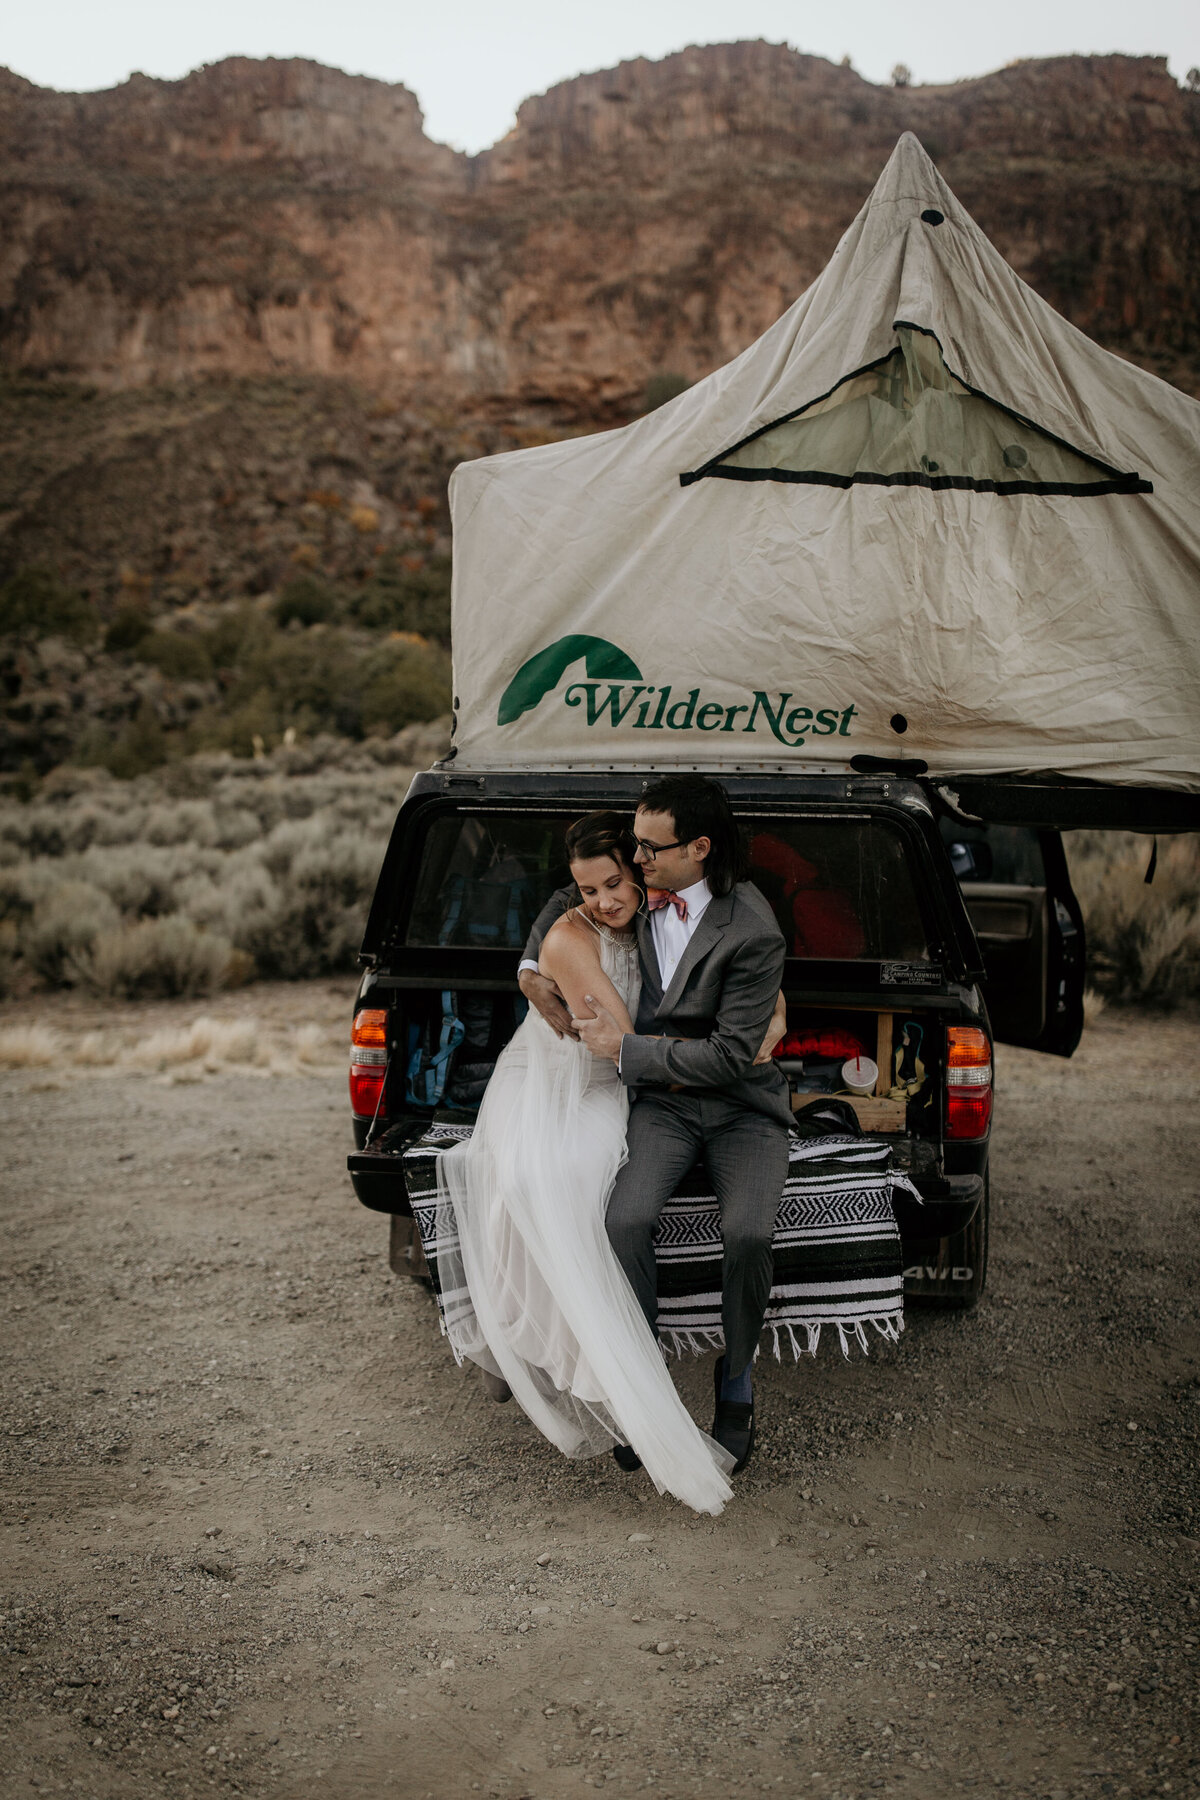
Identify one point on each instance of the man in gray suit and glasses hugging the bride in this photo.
(712, 960)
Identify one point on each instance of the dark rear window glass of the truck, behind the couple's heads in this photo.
(843, 890)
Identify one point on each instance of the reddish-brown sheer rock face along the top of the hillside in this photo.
(267, 219)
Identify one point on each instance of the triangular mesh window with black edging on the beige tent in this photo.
(909, 422)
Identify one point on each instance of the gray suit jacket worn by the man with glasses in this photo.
(715, 1012)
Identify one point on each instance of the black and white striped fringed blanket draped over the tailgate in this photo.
(837, 1246)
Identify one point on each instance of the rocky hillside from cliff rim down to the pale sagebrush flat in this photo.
(249, 321)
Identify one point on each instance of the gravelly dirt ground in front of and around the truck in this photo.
(264, 1536)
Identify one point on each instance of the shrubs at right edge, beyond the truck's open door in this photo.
(1143, 939)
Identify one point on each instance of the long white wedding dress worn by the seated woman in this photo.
(535, 1293)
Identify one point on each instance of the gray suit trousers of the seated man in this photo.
(748, 1160)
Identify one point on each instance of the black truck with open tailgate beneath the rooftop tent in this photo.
(915, 939)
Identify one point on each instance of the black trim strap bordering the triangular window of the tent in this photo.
(1113, 480)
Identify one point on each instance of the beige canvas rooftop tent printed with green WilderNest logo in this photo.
(920, 517)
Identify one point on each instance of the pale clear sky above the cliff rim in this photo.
(474, 62)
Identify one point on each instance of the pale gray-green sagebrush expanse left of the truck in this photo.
(201, 876)
